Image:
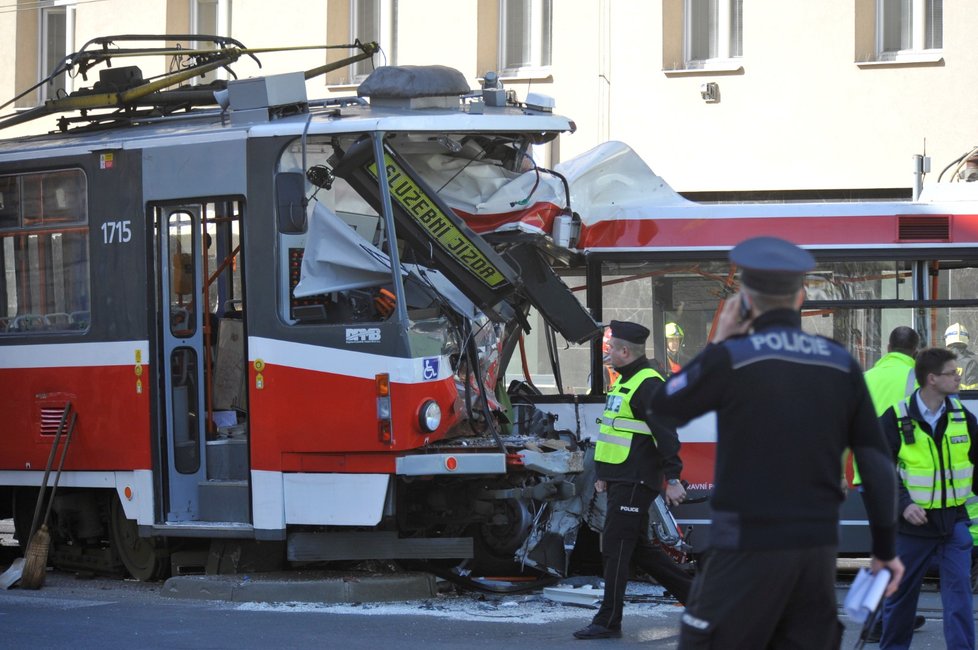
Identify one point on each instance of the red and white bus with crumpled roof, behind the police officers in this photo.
(652, 256)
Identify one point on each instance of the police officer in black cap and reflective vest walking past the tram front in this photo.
(633, 455)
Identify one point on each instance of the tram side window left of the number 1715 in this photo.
(44, 252)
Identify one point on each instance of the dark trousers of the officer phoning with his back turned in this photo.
(776, 599)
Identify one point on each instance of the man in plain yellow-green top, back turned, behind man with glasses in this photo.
(890, 381)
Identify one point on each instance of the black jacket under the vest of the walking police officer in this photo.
(650, 458)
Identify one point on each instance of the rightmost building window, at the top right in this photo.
(908, 26)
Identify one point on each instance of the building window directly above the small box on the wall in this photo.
(713, 30)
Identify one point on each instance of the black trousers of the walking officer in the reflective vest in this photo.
(624, 538)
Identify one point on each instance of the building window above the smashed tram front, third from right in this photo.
(525, 36)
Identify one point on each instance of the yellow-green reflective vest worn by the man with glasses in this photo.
(935, 478)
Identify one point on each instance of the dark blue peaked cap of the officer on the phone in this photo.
(772, 266)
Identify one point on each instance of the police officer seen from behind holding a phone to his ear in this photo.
(787, 405)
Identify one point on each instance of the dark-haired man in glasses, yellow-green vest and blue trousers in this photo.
(930, 434)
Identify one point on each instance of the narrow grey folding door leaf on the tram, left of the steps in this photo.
(182, 349)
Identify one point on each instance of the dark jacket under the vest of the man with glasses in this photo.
(940, 521)
